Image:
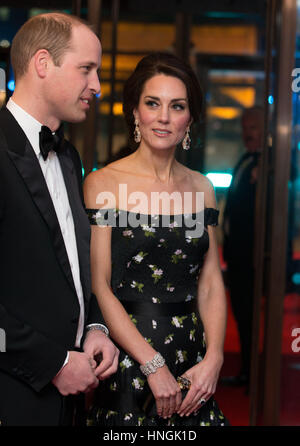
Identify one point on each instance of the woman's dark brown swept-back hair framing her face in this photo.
(160, 63)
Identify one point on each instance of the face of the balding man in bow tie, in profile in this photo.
(71, 86)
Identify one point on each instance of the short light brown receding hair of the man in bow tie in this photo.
(52, 31)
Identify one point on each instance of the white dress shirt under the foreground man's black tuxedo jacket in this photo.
(55, 182)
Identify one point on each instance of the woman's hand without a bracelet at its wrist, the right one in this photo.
(204, 377)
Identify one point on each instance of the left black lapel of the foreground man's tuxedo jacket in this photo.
(26, 162)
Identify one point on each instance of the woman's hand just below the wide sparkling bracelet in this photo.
(166, 392)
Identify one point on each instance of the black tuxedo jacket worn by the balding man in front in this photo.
(39, 308)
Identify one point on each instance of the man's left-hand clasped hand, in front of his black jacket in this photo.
(78, 375)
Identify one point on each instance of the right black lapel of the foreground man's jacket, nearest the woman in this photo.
(82, 227)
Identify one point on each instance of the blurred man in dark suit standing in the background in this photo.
(238, 245)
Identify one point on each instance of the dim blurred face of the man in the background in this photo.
(252, 127)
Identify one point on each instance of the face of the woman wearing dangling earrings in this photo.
(163, 112)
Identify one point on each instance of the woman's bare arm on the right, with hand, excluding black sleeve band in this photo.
(212, 309)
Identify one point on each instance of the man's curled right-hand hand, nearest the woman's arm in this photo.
(97, 343)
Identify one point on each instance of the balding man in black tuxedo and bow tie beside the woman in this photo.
(53, 325)
